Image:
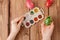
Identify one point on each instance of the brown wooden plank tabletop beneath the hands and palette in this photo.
(10, 9)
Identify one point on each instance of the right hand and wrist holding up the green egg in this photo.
(47, 31)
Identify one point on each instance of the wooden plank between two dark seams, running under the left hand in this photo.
(17, 9)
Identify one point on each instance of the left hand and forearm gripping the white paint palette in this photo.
(15, 27)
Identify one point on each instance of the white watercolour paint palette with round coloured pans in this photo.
(32, 17)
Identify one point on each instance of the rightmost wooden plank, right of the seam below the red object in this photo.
(55, 13)
